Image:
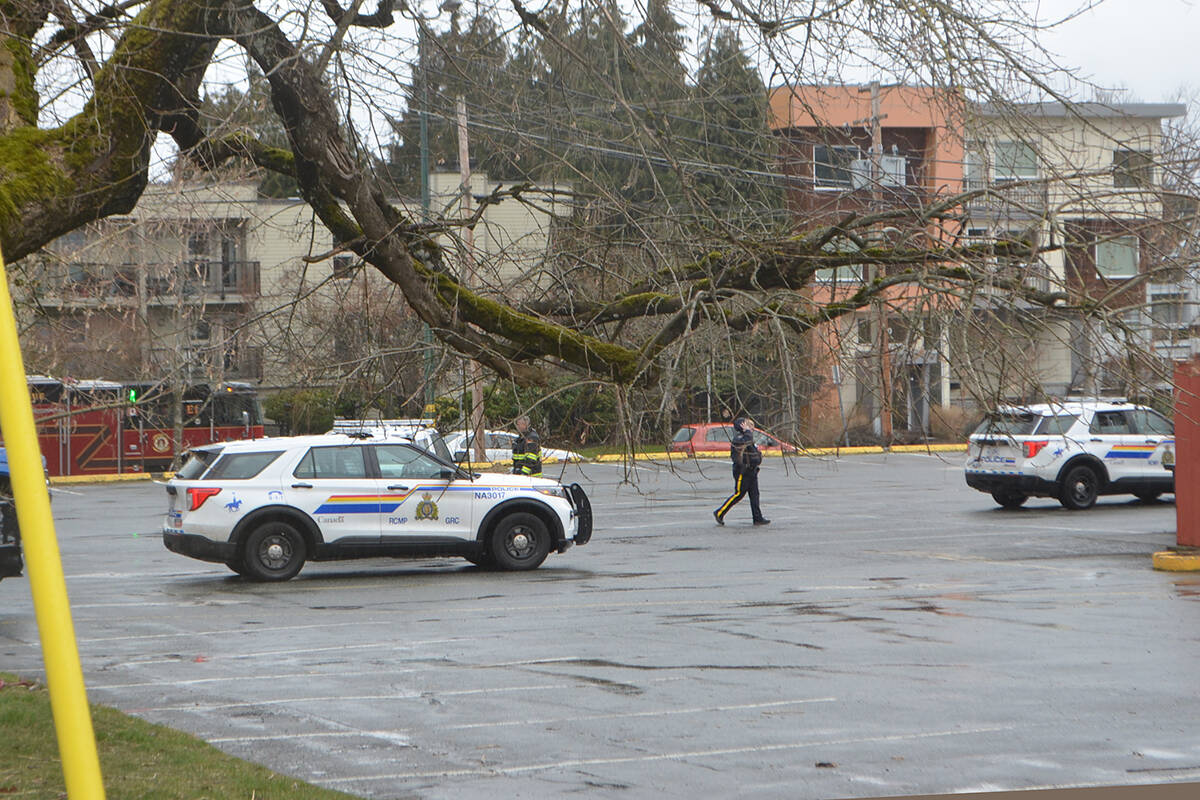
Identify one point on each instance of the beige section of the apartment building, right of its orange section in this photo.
(1083, 185)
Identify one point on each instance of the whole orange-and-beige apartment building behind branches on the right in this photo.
(1078, 183)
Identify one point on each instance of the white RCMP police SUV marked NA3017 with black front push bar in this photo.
(265, 508)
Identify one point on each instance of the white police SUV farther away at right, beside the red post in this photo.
(1073, 450)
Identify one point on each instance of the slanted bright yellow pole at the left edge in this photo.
(64, 676)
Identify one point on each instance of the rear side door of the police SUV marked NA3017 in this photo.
(332, 485)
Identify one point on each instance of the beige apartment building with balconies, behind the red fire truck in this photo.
(212, 284)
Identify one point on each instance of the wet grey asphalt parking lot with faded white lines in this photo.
(892, 633)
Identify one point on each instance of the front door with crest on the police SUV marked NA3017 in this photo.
(422, 497)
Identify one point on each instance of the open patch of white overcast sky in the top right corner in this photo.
(1151, 47)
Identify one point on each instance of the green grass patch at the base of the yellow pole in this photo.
(137, 759)
